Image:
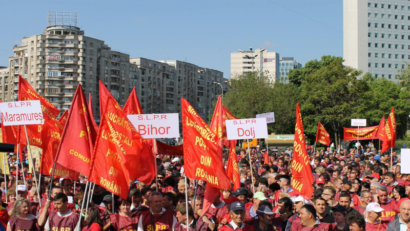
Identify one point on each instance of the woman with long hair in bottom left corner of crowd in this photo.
(20, 218)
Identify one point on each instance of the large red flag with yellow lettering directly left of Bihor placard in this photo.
(123, 146)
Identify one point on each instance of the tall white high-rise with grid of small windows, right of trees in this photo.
(376, 36)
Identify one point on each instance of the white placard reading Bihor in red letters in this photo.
(156, 125)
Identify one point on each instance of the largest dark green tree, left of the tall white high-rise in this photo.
(330, 95)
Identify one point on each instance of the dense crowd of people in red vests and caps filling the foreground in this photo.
(354, 189)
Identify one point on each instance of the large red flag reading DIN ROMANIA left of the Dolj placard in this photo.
(200, 148)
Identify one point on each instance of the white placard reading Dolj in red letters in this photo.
(255, 128)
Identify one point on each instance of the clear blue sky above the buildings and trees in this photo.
(203, 32)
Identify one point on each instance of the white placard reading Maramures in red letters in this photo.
(21, 113)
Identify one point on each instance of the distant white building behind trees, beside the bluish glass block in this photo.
(261, 60)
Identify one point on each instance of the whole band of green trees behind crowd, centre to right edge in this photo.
(327, 91)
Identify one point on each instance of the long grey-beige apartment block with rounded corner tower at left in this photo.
(55, 61)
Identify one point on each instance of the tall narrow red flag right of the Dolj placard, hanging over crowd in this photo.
(302, 177)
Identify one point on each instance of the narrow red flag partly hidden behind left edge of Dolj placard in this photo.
(218, 125)
